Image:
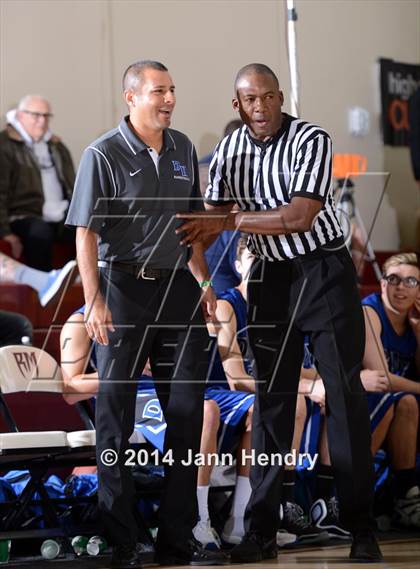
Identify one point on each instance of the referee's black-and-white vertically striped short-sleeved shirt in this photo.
(260, 176)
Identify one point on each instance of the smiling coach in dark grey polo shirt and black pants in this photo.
(143, 300)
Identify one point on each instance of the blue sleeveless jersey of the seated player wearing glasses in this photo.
(399, 350)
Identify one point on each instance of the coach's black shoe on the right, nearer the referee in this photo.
(194, 554)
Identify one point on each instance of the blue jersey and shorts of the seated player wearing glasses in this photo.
(400, 355)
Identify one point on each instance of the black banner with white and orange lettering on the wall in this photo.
(398, 83)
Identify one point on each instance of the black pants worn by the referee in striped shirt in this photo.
(315, 296)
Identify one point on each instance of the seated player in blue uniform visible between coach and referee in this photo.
(229, 404)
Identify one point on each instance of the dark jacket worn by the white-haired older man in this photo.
(20, 177)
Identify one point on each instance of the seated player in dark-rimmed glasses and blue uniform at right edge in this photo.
(393, 347)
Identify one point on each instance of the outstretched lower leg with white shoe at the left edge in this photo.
(49, 285)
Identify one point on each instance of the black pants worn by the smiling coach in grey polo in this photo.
(160, 319)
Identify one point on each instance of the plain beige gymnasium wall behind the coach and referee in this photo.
(75, 51)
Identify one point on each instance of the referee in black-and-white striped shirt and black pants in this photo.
(272, 179)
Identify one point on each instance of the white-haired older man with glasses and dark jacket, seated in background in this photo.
(36, 181)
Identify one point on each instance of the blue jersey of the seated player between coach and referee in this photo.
(216, 372)
